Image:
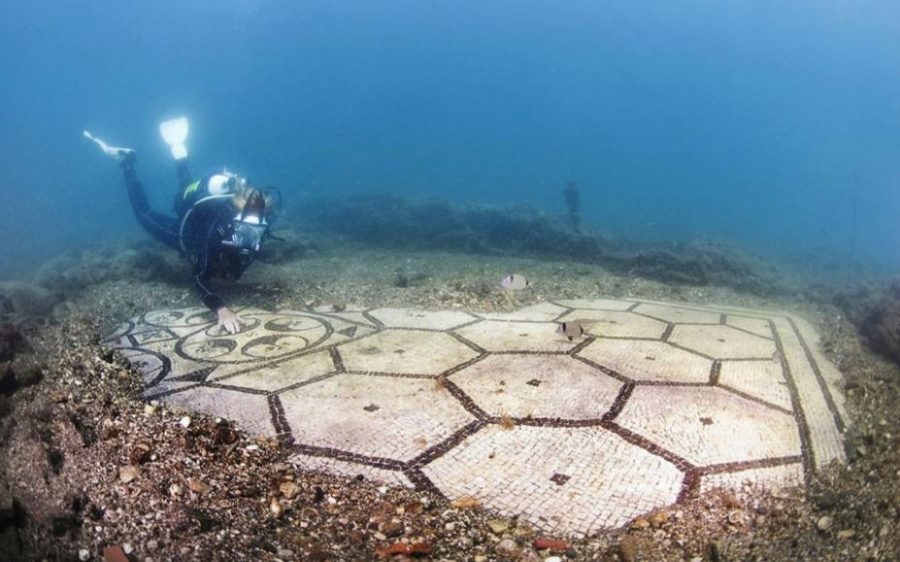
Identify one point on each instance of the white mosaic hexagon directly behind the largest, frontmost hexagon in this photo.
(534, 386)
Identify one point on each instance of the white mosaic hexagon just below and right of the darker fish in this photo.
(642, 360)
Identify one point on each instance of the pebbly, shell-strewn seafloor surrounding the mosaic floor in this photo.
(72, 419)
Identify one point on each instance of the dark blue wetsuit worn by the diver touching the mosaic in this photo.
(203, 236)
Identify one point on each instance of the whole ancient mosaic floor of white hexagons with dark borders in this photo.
(658, 402)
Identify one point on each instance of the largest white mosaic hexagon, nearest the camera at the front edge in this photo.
(605, 480)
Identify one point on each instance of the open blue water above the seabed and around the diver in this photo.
(772, 125)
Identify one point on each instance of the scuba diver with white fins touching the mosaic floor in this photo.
(220, 222)
